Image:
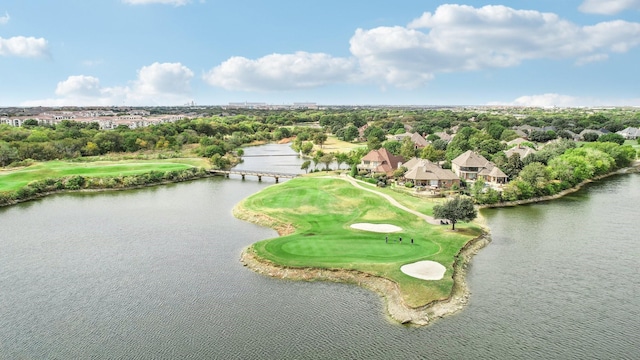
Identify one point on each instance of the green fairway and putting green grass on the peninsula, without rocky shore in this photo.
(322, 210)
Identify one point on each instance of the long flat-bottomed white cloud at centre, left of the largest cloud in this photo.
(280, 72)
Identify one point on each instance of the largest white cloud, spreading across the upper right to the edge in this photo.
(463, 38)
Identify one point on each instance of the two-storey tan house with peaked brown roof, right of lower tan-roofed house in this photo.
(472, 166)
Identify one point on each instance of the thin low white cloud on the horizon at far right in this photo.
(558, 100)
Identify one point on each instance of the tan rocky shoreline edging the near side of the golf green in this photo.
(396, 308)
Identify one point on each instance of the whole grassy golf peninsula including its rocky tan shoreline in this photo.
(314, 215)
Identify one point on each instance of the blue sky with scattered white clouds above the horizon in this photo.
(400, 52)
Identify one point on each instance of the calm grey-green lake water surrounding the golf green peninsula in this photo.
(154, 273)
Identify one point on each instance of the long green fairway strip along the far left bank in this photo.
(11, 180)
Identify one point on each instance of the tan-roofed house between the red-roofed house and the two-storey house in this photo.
(423, 172)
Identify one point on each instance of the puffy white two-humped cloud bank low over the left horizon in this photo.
(157, 84)
